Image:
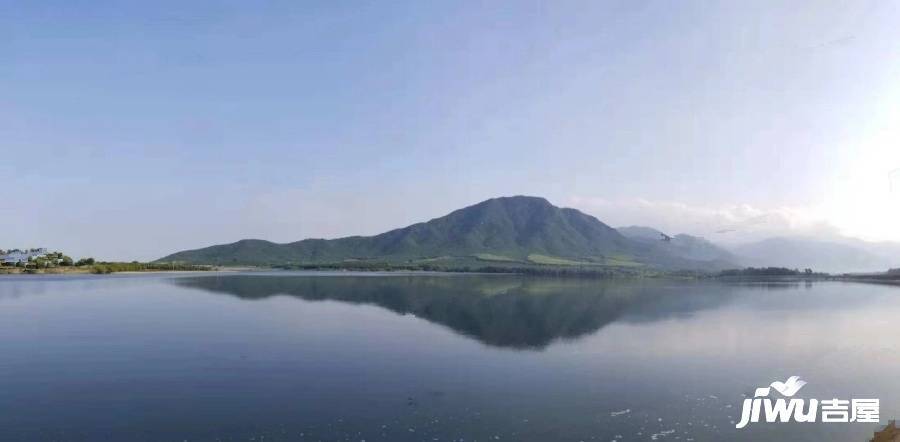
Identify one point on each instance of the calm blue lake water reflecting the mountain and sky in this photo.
(344, 357)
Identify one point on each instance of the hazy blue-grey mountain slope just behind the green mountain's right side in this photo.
(683, 246)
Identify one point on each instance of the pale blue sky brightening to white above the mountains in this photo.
(134, 130)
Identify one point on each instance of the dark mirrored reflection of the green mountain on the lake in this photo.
(501, 311)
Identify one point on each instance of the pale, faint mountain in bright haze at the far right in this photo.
(826, 256)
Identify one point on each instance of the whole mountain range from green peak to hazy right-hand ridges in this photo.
(524, 230)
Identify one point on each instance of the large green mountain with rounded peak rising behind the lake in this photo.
(502, 231)
